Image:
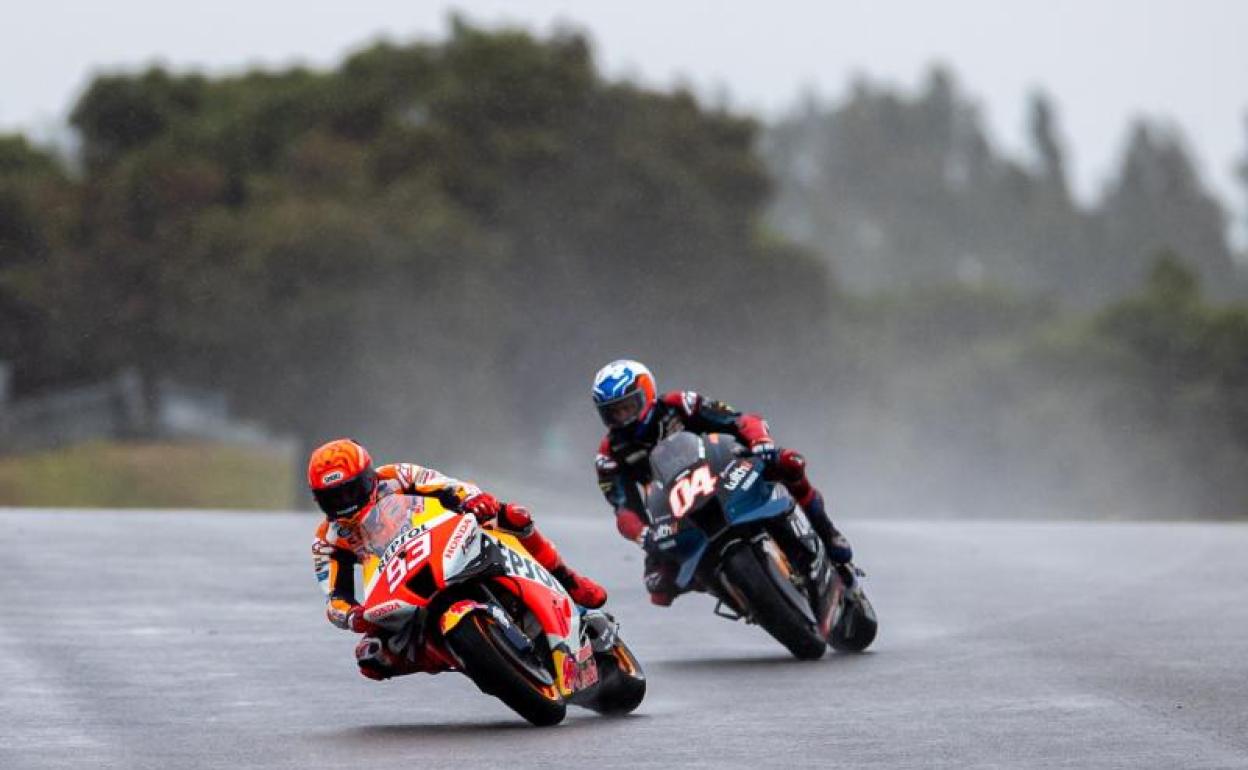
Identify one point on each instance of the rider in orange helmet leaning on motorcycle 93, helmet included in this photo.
(346, 486)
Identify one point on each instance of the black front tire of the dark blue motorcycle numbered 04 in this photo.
(771, 607)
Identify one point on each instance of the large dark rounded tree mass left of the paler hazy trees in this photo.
(335, 248)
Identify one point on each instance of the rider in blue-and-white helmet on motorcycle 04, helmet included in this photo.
(638, 419)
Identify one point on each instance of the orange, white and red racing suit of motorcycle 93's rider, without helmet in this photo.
(340, 546)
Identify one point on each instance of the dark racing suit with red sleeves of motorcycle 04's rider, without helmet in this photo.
(623, 467)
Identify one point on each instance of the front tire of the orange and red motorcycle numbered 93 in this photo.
(497, 672)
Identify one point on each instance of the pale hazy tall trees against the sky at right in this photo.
(905, 190)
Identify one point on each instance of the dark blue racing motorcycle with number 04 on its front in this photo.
(743, 540)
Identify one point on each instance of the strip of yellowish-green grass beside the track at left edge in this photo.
(150, 476)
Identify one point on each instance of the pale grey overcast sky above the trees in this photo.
(1104, 62)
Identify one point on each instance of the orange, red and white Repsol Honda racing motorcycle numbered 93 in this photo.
(479, 601)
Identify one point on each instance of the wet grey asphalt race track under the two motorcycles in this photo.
(192, 640)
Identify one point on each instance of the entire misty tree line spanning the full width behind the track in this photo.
(434, 245)
